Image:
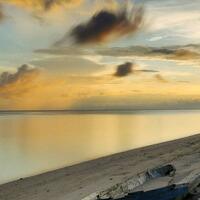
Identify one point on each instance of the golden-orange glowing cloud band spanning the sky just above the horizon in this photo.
(50, 91)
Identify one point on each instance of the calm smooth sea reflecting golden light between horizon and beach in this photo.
(33, 143)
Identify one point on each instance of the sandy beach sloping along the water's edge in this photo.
(78, 181)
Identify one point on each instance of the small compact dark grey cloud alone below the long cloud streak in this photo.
(124, 69)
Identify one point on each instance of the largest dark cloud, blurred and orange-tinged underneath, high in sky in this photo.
(106, 25)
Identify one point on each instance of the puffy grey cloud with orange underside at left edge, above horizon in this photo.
(23, 72)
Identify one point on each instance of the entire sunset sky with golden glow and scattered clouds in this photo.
(101, 55)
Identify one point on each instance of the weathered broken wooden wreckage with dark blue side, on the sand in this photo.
(187, 189)
